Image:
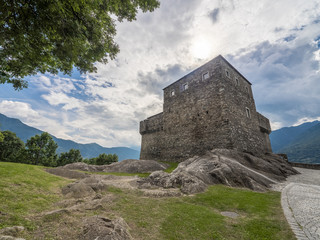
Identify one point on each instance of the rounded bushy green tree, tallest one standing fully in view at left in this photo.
(41, 150)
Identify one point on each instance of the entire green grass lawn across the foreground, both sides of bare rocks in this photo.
(26, 190)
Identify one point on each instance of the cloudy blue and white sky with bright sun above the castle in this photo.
(275, 44)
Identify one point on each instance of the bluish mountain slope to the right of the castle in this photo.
(300, 143)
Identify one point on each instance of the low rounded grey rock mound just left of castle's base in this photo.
(135, 166)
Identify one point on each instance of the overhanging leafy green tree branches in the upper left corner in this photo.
(51, 36)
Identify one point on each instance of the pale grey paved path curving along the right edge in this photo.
(300, 200)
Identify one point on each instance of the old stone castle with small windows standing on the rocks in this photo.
(211, 107)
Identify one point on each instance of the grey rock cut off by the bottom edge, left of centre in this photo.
(102, 228)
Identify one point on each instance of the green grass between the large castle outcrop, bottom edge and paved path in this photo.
(199, 217)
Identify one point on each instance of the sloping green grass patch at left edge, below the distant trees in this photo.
(25, 190)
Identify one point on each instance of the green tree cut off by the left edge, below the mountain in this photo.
(11, 147)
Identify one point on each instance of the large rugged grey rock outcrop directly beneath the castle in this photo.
(223, 166)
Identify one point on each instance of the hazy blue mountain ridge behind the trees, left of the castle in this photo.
(90, 150)
